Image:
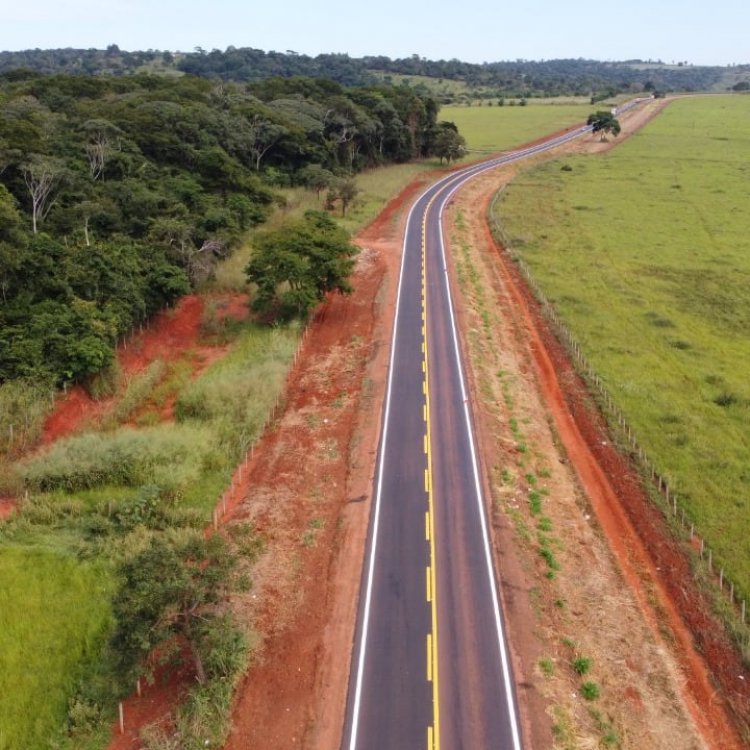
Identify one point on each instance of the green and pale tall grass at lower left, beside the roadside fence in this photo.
(97, 503)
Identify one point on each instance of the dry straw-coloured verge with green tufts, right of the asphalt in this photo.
(526, 491)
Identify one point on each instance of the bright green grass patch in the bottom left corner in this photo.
(53, 614)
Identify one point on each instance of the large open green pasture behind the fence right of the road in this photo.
(645, 253)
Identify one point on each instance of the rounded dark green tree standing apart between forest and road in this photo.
(294, 267)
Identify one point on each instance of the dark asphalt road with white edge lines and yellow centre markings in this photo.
(430, 664)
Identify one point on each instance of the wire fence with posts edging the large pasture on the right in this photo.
(642, 459)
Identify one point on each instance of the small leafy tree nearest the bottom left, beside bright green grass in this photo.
(174, 587)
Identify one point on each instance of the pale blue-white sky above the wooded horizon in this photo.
(701, 32)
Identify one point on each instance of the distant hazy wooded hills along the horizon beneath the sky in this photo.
(519, 78)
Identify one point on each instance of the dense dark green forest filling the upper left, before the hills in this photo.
(119, 193)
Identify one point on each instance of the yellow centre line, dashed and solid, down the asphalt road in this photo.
(433, 732)
